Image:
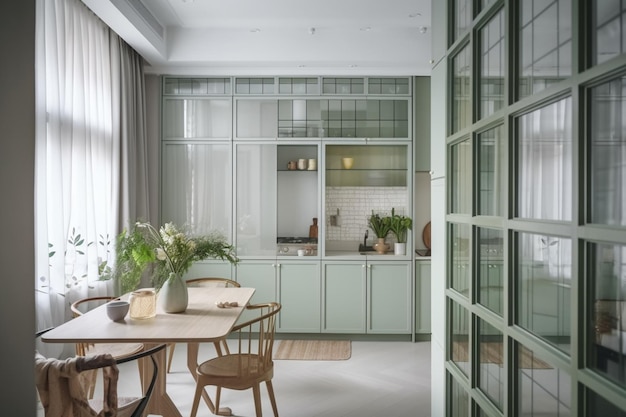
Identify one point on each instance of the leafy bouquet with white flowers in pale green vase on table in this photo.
(171, 253)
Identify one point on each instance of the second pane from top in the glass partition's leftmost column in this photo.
(461, 90)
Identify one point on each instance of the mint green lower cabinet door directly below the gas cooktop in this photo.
(299, 293)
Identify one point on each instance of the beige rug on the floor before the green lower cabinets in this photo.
(314, 350)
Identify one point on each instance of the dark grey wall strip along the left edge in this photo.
(17, 162)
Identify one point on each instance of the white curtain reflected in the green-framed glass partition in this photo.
(545, 184)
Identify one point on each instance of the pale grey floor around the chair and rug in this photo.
(390, 379)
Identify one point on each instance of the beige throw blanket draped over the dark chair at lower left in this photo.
(60, 385)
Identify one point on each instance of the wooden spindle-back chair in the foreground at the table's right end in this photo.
(249, 366)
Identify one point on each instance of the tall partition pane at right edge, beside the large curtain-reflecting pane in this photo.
(608, 152)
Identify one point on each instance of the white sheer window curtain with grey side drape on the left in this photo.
(90, 154)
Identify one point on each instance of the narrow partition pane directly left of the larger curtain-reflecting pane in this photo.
(491, 176)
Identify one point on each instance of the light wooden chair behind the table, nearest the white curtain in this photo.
(117, 350)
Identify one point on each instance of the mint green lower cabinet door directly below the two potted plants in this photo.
(389, 297)
